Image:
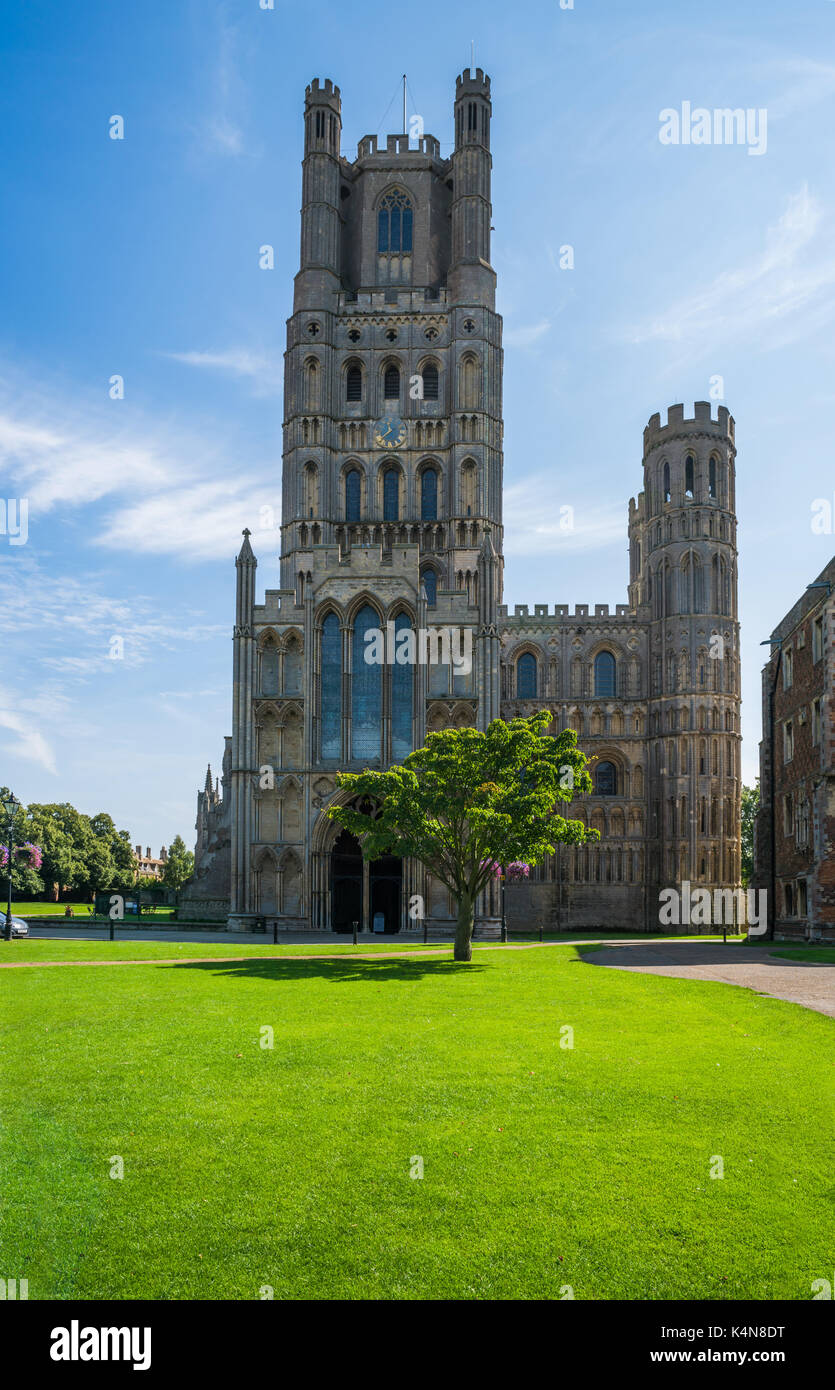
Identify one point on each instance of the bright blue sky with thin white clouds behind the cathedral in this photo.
(140, 258)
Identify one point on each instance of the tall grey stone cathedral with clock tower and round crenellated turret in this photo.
(392, 519)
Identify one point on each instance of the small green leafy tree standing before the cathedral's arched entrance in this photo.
(470, 801)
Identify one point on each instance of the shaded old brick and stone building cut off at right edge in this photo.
(795, 828)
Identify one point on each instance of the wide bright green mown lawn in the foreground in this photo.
(290, 1168)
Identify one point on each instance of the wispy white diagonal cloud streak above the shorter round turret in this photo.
(784, 293)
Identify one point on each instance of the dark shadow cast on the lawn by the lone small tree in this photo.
(336, 971)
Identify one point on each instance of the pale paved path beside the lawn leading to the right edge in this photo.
(754, 968)
